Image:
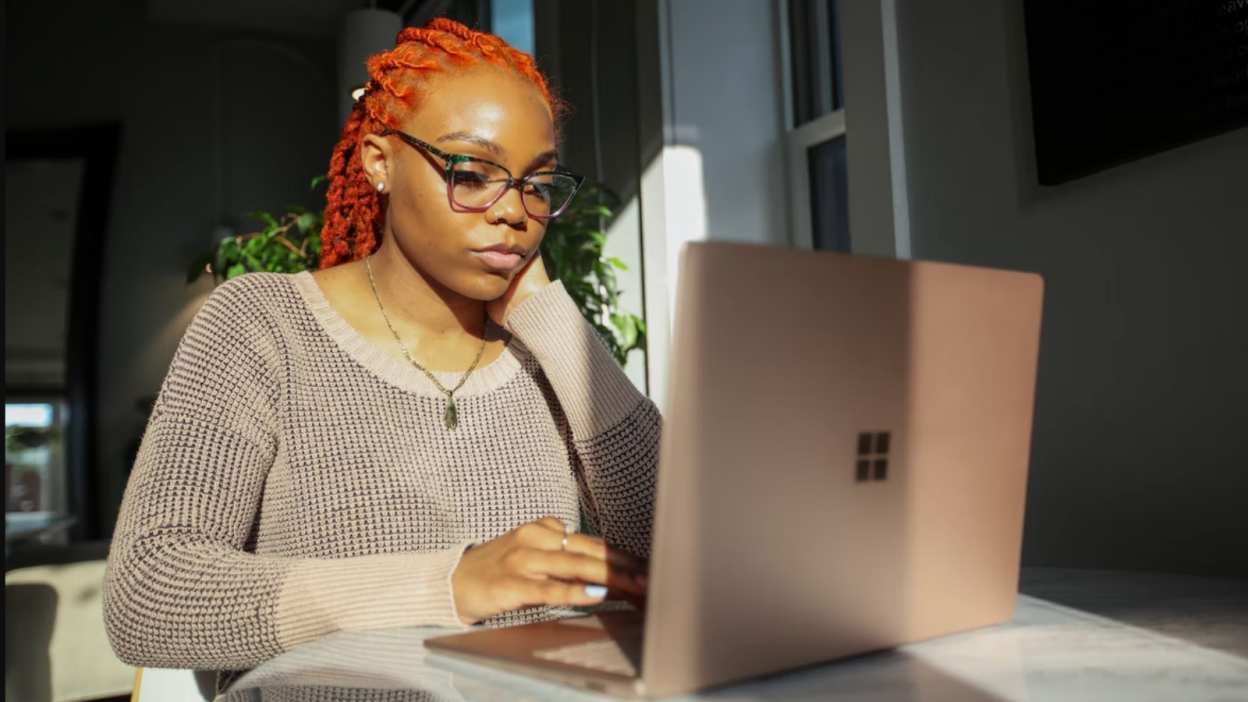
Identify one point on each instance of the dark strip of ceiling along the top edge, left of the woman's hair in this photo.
(318, 19)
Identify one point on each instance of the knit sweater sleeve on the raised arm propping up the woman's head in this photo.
(615, 429)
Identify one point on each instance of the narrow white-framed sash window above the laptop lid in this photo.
(817, 147)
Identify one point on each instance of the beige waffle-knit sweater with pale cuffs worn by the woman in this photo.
(295, 480)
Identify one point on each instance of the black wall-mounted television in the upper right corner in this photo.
(1118, 82)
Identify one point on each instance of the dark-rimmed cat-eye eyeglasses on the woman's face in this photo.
(476, 184)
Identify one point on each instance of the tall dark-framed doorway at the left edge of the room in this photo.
(58, 188)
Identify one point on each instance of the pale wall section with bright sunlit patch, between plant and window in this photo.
(712, 142)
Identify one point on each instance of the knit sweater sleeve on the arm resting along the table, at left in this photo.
(182, 589)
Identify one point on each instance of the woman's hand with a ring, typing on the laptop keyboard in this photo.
(529, 568)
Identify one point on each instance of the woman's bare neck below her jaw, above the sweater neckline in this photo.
(417, 302)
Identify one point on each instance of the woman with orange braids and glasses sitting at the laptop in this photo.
(404, 438)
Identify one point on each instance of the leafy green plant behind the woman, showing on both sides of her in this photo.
(572, 252)
